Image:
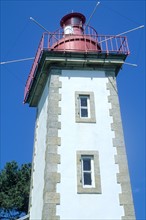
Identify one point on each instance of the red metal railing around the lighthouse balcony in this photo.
(108, 45)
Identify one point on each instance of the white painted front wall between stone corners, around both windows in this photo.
(86, 136)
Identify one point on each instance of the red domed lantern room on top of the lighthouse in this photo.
(76, 35)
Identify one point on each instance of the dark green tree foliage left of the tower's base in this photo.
(14, 190)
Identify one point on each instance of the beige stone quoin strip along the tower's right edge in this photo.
(125, 197)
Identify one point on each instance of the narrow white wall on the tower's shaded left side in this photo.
(39, 158)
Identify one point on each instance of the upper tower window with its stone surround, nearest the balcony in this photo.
(85, 108)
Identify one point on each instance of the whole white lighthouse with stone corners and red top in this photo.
(79, 168)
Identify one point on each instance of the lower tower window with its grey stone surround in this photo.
(88, 172)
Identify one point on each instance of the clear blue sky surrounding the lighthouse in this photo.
(20, 38)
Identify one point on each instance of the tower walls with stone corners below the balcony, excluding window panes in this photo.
(60, 137)
